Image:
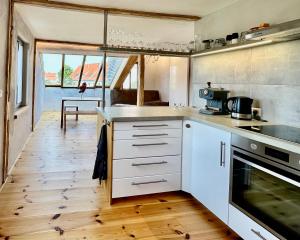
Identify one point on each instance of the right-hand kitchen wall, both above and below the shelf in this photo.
(269, 74)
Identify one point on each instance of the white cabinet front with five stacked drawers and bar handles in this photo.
(146, 157)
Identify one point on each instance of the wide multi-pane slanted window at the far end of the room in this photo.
(78, 69)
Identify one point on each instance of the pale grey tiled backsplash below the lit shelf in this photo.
(269, 74)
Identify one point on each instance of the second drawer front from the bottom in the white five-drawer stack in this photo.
(139, 167)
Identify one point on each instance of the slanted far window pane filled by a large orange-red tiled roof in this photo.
(91, 69)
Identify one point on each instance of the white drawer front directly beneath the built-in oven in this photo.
(246, 227)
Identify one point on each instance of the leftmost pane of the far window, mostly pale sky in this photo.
(52, 69)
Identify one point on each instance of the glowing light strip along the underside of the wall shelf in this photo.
(230, 48)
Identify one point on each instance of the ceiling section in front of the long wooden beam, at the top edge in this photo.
(187, 7)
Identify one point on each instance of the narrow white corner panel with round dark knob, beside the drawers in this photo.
(187, 143)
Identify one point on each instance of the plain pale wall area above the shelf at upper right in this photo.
(246, 14)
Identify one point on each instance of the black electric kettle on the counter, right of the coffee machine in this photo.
(240, 107)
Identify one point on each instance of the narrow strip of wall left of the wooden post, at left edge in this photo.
(3, 48)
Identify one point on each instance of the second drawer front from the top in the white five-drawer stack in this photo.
(153, 133)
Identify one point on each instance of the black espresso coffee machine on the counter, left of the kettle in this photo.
(216, 100)
